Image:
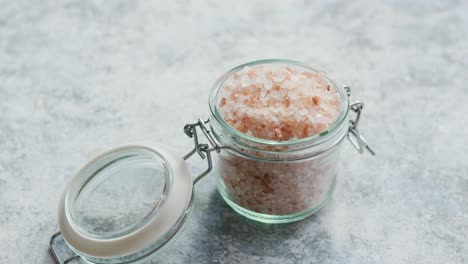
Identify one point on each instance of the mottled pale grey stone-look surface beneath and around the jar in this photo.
(77, 76)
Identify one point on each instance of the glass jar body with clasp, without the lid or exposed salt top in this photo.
(279, 181)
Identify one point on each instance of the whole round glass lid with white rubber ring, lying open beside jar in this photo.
(126, 203)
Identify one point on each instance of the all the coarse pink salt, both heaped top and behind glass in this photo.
(278, 103)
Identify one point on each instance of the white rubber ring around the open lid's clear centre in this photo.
(169, 213)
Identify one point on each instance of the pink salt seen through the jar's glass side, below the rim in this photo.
(278, 188)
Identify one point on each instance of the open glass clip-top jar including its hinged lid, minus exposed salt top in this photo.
(128, 203)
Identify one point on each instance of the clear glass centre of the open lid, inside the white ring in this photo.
(120, 192)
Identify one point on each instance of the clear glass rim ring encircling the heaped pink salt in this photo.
(342, 117)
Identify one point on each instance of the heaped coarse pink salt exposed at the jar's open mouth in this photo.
(278, 103)
